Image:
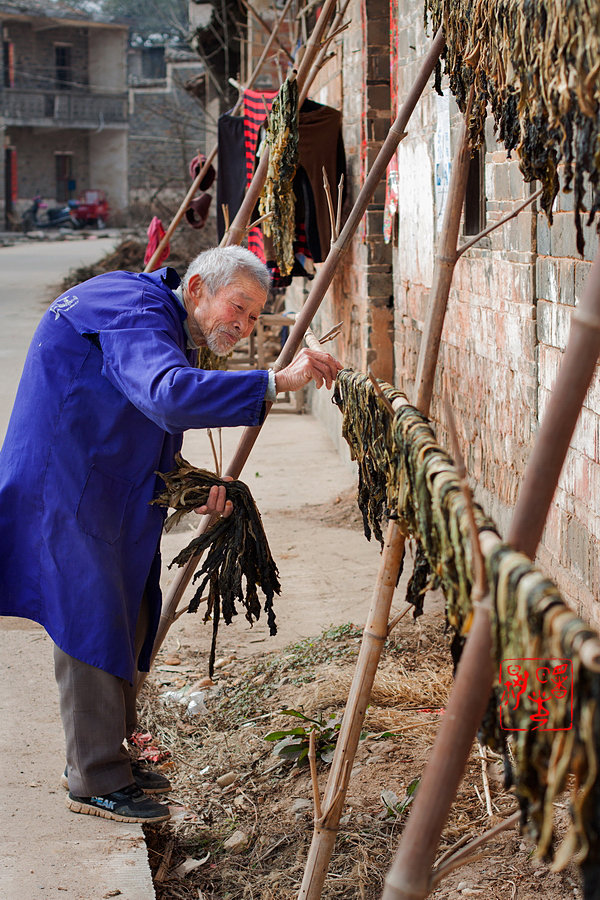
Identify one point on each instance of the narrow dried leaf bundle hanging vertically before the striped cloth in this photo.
(277, 196)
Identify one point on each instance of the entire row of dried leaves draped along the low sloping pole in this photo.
(403, 472)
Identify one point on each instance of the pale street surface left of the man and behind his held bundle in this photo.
(327, 575)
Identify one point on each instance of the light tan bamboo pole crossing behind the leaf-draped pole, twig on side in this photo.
(376, 630)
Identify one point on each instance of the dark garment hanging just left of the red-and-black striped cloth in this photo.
(231, 167)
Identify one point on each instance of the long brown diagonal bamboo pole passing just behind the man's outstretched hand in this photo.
(319, 288)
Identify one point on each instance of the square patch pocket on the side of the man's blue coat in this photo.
(101, 508)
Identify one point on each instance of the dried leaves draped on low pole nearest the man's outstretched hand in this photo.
(404, 472)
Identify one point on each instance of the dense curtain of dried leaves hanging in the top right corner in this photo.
(537, 63)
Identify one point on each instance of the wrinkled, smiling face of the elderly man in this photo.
(220, 320)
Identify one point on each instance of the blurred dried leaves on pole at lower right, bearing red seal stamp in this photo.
(532, 626)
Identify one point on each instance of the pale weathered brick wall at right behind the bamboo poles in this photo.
(505, 332)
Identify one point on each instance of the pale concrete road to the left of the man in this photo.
(47, 851)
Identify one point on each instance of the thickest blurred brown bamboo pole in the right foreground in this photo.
(410, 875)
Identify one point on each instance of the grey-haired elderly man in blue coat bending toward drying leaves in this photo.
(109, 385)
